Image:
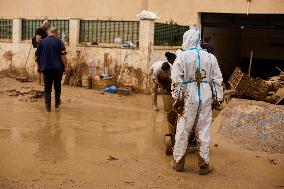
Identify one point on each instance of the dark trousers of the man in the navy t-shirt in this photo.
(50, 77)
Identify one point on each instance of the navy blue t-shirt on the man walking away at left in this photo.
(49, 54)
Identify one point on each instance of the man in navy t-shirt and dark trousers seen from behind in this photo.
(51, 54)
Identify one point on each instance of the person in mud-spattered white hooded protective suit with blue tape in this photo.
(196, 87)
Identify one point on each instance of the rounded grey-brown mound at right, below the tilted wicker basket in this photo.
(255, 125)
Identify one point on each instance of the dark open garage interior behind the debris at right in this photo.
(237, 38)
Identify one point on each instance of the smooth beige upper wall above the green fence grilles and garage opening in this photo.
(181, 11)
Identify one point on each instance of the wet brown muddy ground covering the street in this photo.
(107, 141)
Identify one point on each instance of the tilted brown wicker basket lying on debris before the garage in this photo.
(248, 86)
